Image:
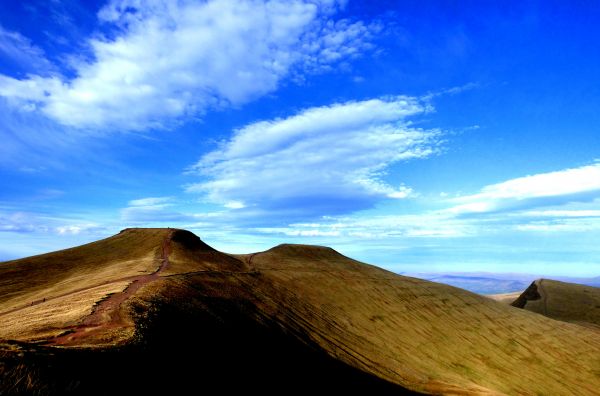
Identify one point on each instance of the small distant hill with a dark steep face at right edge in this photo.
(562, 301)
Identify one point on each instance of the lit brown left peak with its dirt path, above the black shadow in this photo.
(82, 296)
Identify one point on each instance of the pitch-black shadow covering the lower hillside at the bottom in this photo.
(191, 344)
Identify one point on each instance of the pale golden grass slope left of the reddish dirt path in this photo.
(42, 296)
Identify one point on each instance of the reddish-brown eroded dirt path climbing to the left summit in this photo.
(107, 313)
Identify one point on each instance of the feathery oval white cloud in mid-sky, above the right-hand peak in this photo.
(323, 160)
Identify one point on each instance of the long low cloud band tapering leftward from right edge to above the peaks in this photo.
(560, 202)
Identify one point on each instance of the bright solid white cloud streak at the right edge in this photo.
(544, 189)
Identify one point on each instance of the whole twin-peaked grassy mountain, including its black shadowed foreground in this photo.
(158, 310)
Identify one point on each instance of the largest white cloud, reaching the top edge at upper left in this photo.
(172, 59)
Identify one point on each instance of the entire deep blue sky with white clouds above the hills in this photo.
(439, 136)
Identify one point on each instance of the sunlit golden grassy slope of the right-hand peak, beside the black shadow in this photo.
(426, 336)
